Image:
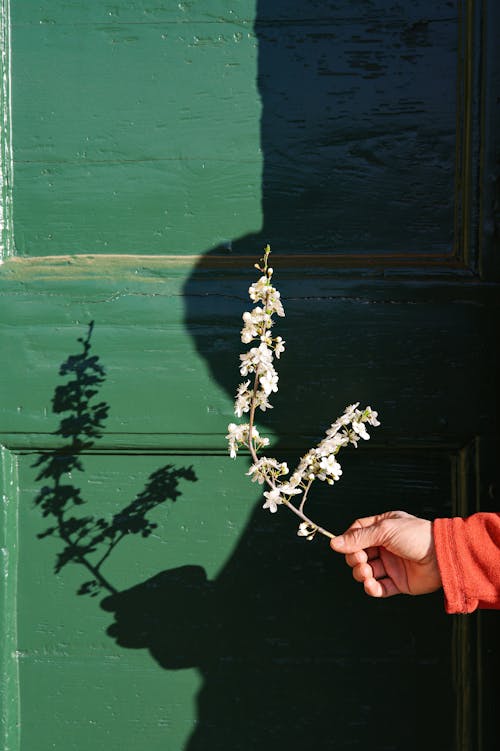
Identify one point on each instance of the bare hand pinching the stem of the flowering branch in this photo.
(391, 553)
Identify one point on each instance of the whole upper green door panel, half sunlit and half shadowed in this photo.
(178, 129)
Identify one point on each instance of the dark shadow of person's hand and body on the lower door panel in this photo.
(290, 654)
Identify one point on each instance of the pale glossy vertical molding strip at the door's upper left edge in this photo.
(6, 164)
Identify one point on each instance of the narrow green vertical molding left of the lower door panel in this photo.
(9, 686)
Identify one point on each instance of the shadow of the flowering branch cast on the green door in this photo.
(89, 540)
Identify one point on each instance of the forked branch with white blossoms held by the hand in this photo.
(320, 462)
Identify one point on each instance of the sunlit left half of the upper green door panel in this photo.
(117, 146)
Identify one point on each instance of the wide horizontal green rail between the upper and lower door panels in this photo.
(172, 339)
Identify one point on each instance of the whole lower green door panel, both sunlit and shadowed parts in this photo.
(229, 594)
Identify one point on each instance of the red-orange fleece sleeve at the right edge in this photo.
(468, 554)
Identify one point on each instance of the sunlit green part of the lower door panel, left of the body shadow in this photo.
(131, 699)
